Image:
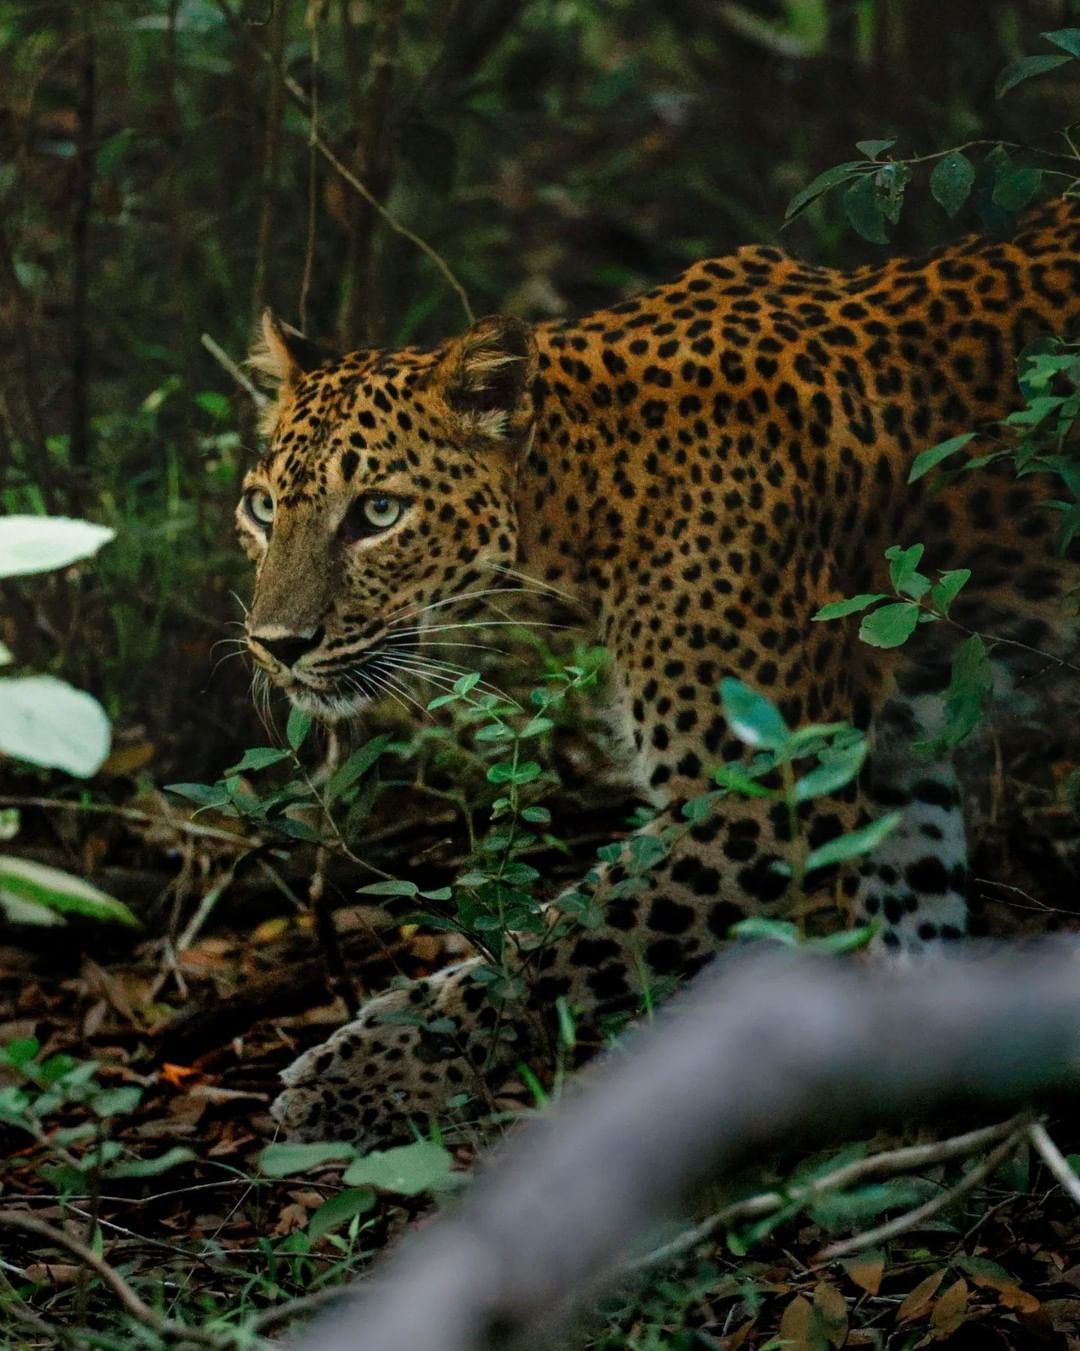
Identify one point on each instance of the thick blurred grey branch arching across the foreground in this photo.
(764, 1053)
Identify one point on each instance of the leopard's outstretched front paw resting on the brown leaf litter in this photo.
(408, 1059)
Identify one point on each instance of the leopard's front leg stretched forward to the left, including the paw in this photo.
(417, 1050)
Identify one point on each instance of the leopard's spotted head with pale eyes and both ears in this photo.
(386, 492)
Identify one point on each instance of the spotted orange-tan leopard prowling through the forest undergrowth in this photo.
(701, 468)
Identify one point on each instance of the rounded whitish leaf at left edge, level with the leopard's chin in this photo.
(49, 723)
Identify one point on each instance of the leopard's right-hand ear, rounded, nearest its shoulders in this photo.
(487, 379)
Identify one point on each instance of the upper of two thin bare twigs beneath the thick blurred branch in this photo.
(887, 1164)
